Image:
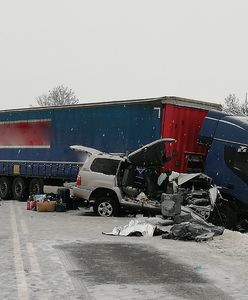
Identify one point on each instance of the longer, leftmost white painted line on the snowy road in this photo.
(22, 287)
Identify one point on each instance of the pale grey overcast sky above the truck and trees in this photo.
(123, 49)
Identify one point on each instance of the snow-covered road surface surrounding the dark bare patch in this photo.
(34, 264)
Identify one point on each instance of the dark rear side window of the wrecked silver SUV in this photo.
(105, 166)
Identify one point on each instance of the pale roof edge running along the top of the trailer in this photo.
(180, 101)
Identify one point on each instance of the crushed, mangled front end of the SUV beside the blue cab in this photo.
(196, 191)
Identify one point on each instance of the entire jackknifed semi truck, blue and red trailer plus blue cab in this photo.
(35, 142)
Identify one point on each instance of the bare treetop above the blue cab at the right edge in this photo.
(233, 105)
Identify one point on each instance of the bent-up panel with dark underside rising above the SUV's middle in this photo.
(153, 154)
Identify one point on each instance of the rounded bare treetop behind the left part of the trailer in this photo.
(60, 95)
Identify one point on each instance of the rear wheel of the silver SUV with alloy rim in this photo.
(105, 207)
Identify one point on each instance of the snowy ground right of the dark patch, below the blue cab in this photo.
(223, 260)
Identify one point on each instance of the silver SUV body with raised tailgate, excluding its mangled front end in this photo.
(111, 182)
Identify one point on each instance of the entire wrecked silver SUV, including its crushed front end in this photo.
(112, 183)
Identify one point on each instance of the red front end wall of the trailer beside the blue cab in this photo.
(182, 120)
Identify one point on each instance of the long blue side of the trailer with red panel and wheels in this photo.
(35, 142)
